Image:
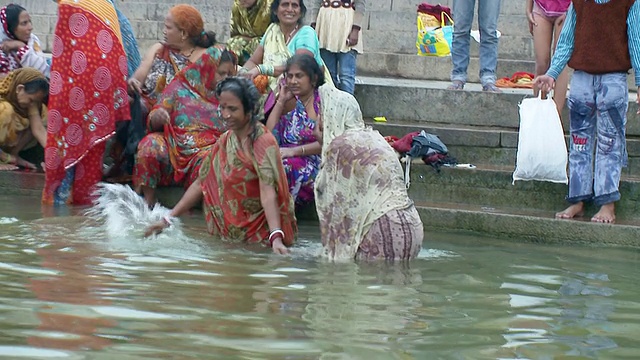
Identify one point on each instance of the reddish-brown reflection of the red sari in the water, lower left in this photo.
(65, 322)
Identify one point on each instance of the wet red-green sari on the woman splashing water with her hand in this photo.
(230, 180)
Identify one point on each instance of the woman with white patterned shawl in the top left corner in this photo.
(19, 47)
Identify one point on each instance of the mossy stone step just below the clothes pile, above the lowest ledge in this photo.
(491, 187)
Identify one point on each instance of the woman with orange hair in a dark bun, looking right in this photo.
(185, 40)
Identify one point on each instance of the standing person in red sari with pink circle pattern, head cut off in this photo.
(88, 93)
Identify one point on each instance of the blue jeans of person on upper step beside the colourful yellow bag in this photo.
(488, 12)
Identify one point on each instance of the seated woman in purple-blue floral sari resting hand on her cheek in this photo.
(293, 119)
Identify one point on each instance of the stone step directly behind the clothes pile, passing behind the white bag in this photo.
(478, 145)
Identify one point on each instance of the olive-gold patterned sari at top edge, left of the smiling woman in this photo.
(247, 28)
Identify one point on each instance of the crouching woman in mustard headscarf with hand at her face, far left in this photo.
(23, 94)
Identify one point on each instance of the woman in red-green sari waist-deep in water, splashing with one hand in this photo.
(243, 183)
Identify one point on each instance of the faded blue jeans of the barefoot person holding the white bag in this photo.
(598, 105)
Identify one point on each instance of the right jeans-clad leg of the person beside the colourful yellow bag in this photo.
(488, 13)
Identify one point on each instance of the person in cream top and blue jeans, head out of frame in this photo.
(338, 26)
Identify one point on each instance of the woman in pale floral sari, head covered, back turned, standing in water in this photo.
(362, 202)
